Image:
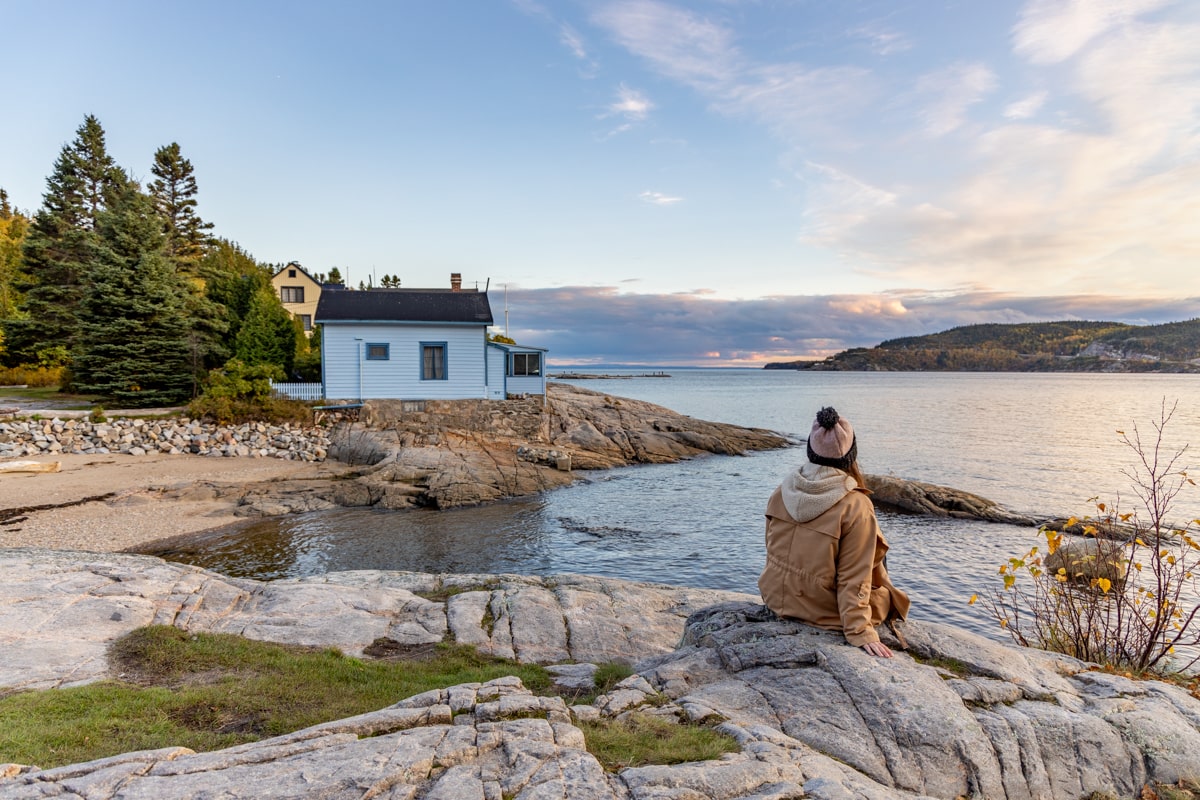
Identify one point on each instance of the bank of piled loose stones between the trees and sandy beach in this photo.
(139, 437)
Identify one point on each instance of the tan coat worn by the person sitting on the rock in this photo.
(830, 572)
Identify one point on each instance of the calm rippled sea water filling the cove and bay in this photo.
(1041, 444)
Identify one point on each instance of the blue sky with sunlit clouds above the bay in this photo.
(721, 183)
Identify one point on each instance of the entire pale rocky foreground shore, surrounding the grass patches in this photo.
(956, 715)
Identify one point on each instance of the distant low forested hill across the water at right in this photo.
(1029, 347)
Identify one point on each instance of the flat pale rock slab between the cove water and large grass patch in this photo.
(59, 611)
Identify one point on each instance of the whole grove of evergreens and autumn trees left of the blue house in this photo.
(124, 292)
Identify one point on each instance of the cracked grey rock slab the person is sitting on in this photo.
(1006, 724)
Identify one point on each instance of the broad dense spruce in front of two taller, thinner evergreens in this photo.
(134, 346)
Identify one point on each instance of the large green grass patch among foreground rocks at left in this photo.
(209, 691)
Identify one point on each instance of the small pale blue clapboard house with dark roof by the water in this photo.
(421, 345)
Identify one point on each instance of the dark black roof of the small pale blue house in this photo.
(405, 306)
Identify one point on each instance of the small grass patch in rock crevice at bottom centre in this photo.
(643, 739)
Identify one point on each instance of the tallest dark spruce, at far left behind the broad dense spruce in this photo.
(58, 245)
